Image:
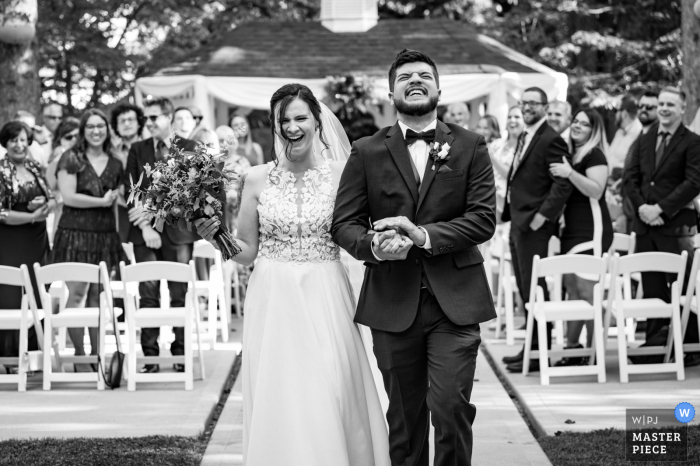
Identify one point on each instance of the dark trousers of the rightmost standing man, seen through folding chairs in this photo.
(658, 284)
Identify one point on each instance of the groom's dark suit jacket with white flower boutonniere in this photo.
(456, 207)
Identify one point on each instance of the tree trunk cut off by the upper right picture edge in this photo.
(691, 59)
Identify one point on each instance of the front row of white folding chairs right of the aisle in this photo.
(620, 303)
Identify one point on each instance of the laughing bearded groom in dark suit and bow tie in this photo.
(427, 190)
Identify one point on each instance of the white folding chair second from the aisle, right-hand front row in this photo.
(622, 305)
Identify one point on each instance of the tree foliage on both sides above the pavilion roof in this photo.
(93, 50)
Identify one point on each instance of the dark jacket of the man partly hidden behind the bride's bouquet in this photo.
(140, 154)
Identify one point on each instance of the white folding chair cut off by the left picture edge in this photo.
(20, 319)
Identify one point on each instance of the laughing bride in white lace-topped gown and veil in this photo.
(308, 393)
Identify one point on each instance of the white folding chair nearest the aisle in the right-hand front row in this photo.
(557, 310)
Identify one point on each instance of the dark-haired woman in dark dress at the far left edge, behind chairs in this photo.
(25, 202)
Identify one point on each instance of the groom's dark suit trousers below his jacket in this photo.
(428, 369)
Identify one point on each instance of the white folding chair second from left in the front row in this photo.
(73, 318)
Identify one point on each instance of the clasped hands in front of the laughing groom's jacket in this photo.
(395, 236)
